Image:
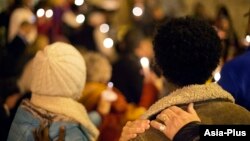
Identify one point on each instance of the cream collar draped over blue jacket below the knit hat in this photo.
(67, 107)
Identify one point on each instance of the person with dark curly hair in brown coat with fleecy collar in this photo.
(188, 51)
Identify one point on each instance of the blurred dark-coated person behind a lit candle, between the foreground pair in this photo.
(128, 74)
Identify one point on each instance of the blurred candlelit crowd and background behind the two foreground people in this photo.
(115, 39)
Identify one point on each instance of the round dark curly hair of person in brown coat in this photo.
(187, 50)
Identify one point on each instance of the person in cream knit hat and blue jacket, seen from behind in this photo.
(58, 78)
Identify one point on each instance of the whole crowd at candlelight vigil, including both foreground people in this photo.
(60, 76)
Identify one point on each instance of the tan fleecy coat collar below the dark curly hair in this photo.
(189, 94)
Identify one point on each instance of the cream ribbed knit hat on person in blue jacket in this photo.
(58, 70)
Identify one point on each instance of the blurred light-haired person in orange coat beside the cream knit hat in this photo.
(101, 97)
